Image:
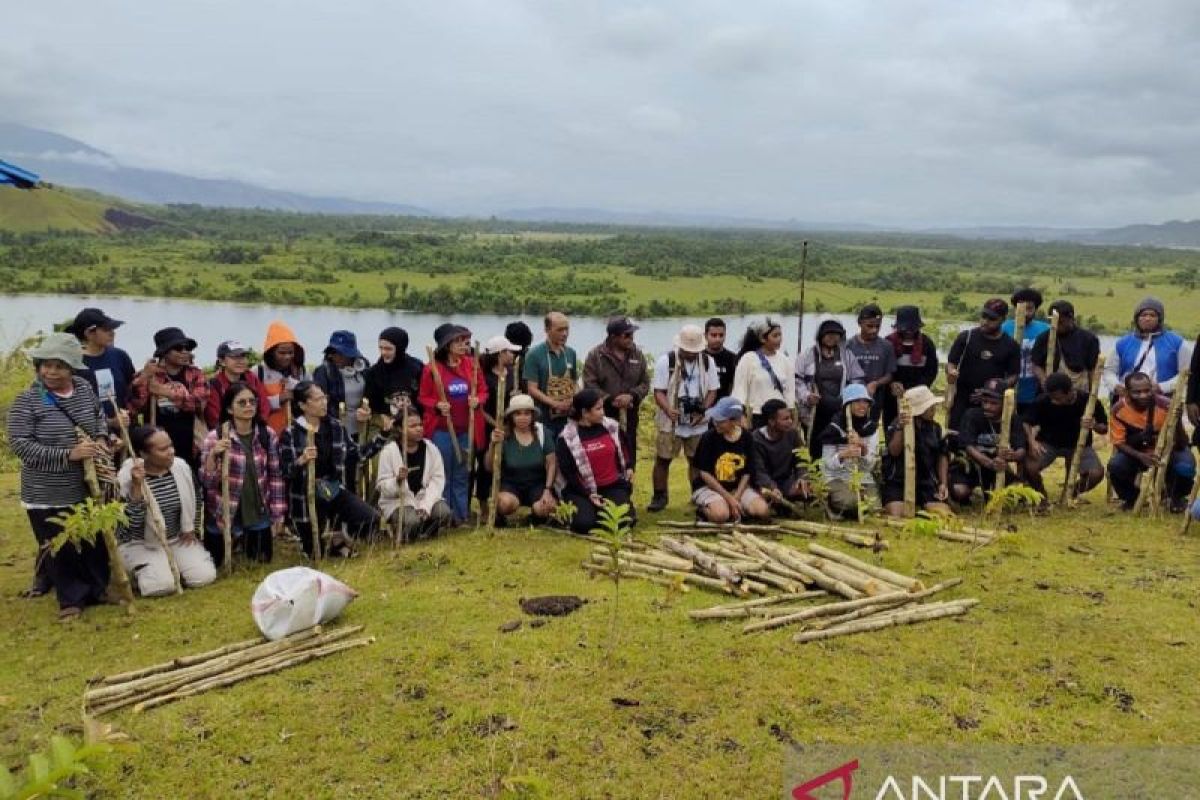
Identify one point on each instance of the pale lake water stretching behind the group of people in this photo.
(212, 323)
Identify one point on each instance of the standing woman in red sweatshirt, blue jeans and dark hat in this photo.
(458, 370)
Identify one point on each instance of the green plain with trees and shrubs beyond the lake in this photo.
(491, 266)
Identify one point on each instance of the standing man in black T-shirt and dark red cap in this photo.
(979, 356)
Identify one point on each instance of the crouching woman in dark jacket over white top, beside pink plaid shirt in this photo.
(317, 437)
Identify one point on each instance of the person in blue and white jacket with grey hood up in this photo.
(1151, 350)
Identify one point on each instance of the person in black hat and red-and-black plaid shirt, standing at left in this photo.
(178, 393)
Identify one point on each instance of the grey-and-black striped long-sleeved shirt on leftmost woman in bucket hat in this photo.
(43, 434)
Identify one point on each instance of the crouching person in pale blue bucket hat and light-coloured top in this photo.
(847, 452)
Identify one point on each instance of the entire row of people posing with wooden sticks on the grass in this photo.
(350, 449)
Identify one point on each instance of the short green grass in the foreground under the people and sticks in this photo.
(1085, 634)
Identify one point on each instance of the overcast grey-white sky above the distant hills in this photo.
(916, 113)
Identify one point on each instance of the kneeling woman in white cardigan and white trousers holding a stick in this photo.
(155, 470)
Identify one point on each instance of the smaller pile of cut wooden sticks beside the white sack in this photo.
(188, 676)
